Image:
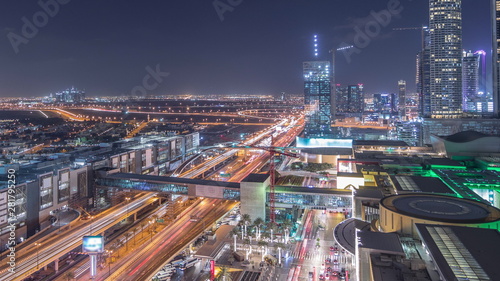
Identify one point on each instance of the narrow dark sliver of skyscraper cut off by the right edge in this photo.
(495, 17)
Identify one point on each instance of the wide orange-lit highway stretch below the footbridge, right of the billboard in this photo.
(171, 240)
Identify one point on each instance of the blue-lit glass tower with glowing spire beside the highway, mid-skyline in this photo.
(317, 96)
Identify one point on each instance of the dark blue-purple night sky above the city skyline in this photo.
(105, 46)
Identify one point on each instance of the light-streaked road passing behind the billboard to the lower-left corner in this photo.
(29, 259)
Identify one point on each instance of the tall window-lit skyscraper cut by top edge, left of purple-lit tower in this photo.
(446, 58)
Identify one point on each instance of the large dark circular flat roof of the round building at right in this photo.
(441, 208)
